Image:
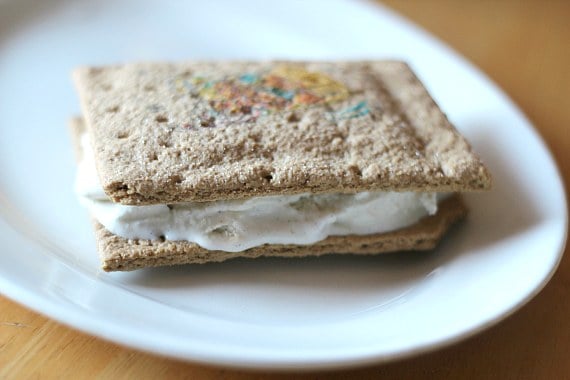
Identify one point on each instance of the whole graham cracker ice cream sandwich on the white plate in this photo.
(205, 161)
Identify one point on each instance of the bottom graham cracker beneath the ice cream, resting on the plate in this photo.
(119, 254)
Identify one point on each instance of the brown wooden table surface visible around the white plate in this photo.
(522, 45)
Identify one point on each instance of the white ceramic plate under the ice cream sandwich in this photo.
(309, 313)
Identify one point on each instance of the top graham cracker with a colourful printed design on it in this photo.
(203, 131)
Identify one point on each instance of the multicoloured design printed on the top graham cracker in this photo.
(286, 87)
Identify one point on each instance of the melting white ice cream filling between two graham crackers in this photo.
(236, 225)
